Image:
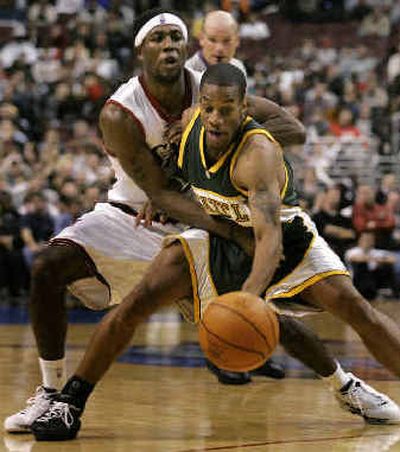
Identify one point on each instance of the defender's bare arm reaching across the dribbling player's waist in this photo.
(123, 139)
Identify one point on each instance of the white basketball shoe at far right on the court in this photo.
(363, 400)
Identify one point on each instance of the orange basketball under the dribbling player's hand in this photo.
(238, 331)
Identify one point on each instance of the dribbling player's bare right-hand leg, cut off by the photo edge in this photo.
(379, 333)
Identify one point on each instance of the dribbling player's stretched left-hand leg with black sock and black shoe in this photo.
(166, 280)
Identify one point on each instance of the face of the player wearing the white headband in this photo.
(163, 53)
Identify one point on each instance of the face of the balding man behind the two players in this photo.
(218, 43)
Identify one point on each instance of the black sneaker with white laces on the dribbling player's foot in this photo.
(61, 422)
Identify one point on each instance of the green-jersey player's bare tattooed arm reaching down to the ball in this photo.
(260, 172)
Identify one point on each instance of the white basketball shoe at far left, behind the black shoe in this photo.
(35, 406)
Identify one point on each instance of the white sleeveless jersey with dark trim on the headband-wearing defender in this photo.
(134, 98)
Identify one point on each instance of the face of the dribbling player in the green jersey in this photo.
(222, 112)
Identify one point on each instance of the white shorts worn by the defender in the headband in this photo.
(120, 251)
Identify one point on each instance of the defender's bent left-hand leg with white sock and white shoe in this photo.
(55, 268)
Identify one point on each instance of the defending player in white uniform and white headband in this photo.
(97, 256)
